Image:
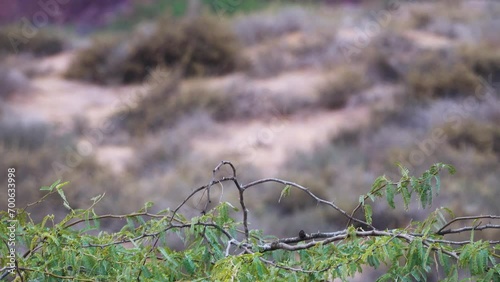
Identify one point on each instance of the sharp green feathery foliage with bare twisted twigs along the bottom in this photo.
(220, 246)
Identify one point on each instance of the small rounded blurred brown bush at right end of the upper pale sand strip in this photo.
(336, 92)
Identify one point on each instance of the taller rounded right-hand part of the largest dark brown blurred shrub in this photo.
(203, 45)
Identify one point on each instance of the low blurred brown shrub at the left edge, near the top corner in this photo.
(44, 41)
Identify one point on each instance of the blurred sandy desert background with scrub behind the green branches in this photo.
(142, 99)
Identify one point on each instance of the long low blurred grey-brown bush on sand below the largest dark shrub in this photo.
(168, 102)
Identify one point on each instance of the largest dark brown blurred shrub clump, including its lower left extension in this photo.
(201, 46)
